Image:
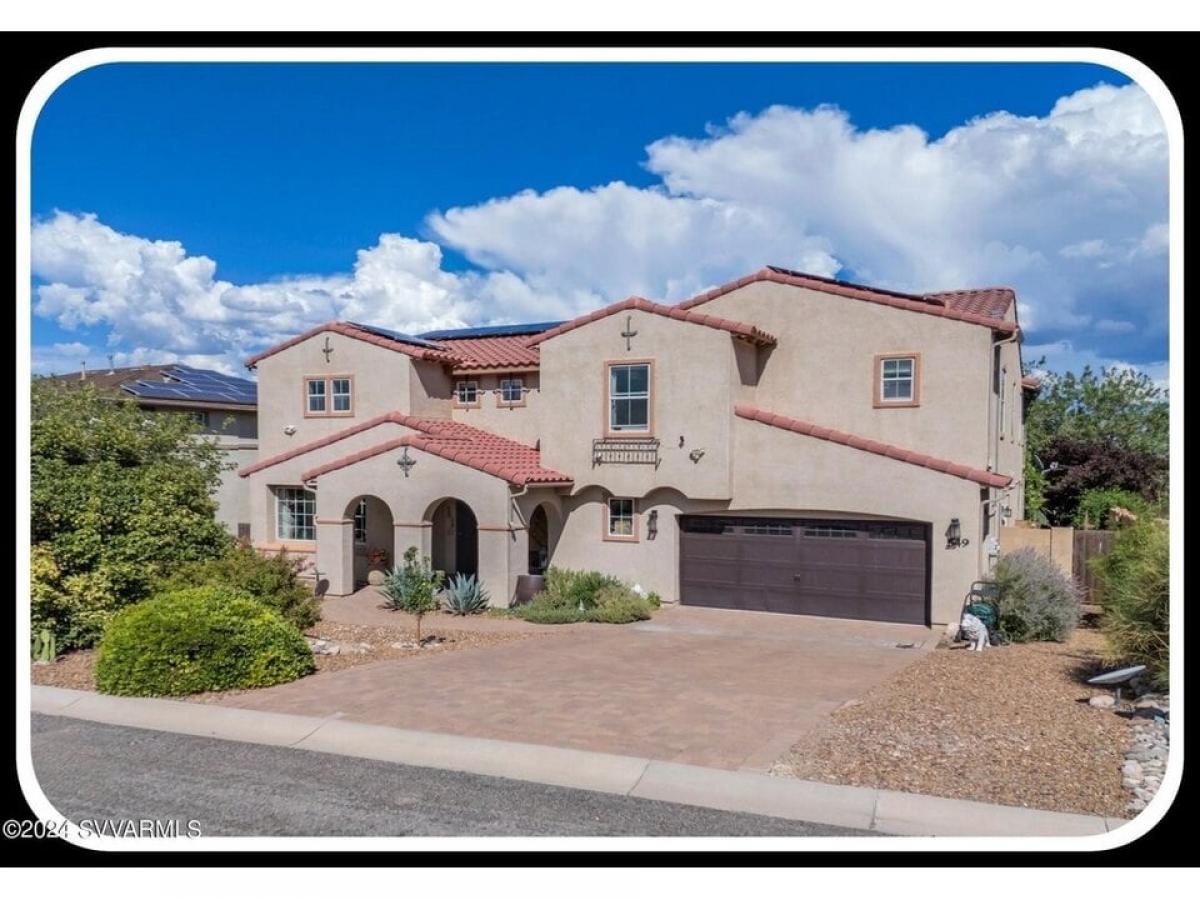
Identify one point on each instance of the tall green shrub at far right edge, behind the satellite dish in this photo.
(1136, 596)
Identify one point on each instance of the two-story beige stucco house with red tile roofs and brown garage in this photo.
(785, 443)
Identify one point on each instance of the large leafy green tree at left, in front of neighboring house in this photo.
(118, 496)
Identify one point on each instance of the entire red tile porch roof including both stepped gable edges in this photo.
(457, 442)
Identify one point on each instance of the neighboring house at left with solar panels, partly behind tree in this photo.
(226, 409)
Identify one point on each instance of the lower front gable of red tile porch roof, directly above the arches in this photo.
(467, 446)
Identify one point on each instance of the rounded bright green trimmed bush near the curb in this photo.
(199, 640)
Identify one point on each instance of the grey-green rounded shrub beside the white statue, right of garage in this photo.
(1036, 601)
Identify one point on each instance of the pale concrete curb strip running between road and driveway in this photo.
(869, 809)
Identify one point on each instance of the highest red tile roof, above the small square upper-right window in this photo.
(965, 310)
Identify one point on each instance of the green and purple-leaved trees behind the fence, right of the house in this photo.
(1094, 431)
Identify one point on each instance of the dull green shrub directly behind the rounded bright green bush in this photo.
(272, 580)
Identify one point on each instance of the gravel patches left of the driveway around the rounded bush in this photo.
(338, 646)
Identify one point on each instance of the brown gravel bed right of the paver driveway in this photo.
(1011, 725)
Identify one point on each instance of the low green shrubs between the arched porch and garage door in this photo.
(586, 597)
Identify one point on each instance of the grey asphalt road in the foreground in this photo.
(94, 771)
